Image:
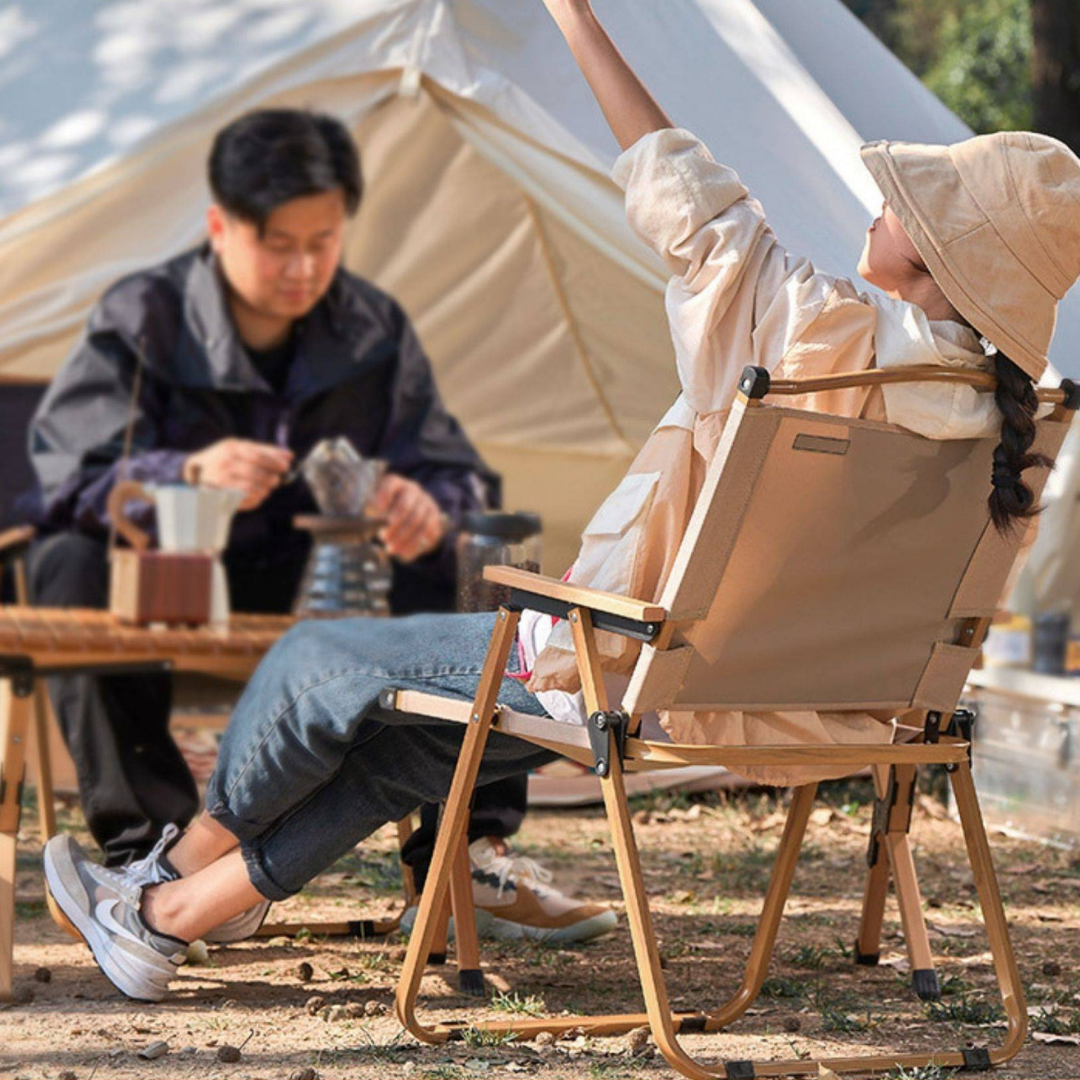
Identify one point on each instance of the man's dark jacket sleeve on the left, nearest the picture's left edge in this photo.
(77, 437)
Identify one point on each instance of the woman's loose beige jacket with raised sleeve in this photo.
(736, 299)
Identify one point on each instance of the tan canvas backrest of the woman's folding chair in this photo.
(831, 564)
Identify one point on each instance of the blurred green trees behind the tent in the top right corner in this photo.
(997, 64)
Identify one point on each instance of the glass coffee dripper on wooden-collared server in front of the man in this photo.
(348, 572)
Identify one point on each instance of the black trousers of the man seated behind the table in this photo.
(133, 780)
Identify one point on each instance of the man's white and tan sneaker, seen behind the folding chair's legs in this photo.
(515, 900)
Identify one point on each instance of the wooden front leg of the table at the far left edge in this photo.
(16, 705)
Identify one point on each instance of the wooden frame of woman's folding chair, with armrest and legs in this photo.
(612, 745)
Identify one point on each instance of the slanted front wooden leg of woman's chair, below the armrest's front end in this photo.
(453, 830)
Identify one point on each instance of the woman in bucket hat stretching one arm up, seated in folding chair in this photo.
(976, 244)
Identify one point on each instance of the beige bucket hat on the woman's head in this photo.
(996, 219)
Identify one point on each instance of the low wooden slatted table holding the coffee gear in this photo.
(39, 642)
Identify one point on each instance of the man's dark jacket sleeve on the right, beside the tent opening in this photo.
(424, 442)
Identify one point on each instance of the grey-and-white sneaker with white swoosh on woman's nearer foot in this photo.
(104, 908)
